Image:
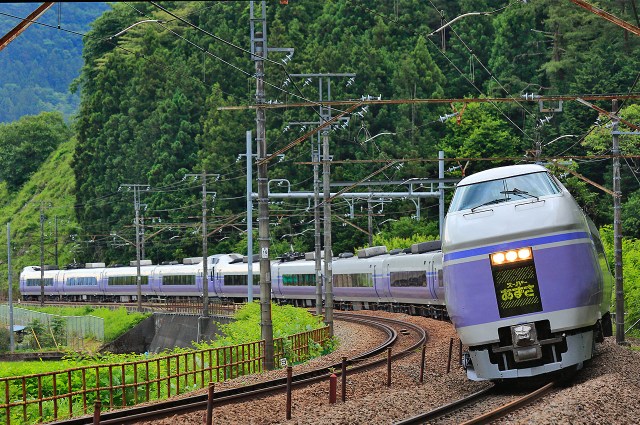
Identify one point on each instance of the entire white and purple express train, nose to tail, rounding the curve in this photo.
(520, 272)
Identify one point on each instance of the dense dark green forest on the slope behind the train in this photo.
(150, 114)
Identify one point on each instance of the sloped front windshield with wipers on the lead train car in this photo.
(529, 186)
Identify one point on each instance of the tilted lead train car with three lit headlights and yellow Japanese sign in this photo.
(527, 286)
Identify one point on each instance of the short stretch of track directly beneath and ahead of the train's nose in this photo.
(490, 401)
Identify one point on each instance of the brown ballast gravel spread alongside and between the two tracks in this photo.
(604, 392)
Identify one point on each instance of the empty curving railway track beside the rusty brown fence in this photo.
(404, 337)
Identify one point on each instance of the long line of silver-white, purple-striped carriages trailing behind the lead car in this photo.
(373, 279)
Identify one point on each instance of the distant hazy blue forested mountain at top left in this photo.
(37, 68)
